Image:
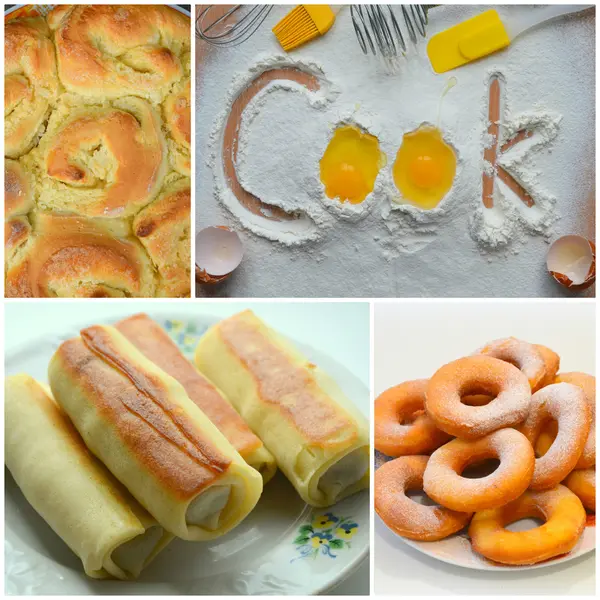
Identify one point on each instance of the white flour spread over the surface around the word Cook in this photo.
(382, 247)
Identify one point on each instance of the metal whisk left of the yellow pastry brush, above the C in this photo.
(230, 27)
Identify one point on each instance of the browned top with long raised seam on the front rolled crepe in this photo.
(136, 405)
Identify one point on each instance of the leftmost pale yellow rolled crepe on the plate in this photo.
(71, 490)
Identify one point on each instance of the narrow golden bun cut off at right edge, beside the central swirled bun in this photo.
(177, 114)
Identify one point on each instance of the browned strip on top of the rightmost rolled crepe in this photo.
(292, 390)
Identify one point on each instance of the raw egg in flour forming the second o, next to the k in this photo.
(425, 167)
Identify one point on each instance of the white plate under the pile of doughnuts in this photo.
(457, 549)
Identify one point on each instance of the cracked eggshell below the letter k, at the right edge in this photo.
(571, 261)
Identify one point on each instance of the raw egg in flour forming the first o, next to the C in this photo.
(350, 164)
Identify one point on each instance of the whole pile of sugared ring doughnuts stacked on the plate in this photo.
(507, 403)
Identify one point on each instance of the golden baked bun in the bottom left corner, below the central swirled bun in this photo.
(68, 256)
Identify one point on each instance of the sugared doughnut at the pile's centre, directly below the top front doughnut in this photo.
(444, 483)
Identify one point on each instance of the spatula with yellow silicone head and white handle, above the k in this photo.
(487, 33)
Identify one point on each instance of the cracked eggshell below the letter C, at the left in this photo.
(219, 252)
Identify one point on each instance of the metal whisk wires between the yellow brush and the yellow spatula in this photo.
(377, 28)
